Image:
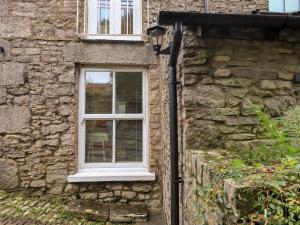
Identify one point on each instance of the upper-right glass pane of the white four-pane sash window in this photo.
(129, 96)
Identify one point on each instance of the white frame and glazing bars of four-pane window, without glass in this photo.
(82, 117)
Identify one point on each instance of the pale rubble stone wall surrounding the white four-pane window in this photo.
(39, 74)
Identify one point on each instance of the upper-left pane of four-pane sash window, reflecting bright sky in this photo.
(98, 92)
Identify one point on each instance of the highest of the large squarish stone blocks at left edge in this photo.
(11, 74)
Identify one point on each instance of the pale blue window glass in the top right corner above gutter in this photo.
(284, 5)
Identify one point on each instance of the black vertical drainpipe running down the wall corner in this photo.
(175, 179)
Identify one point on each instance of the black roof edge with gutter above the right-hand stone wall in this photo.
(263, 20)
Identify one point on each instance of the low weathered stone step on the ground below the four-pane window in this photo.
(100, 212)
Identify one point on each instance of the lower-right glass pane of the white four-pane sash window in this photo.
(129, 141)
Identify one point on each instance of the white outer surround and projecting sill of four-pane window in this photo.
(126, 171)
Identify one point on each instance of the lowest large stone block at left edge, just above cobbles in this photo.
(8, 174)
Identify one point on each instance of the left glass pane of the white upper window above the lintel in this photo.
(103, 16)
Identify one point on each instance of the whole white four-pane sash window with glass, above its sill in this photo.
(112, 130)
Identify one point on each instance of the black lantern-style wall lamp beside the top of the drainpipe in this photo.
(156, 33)
